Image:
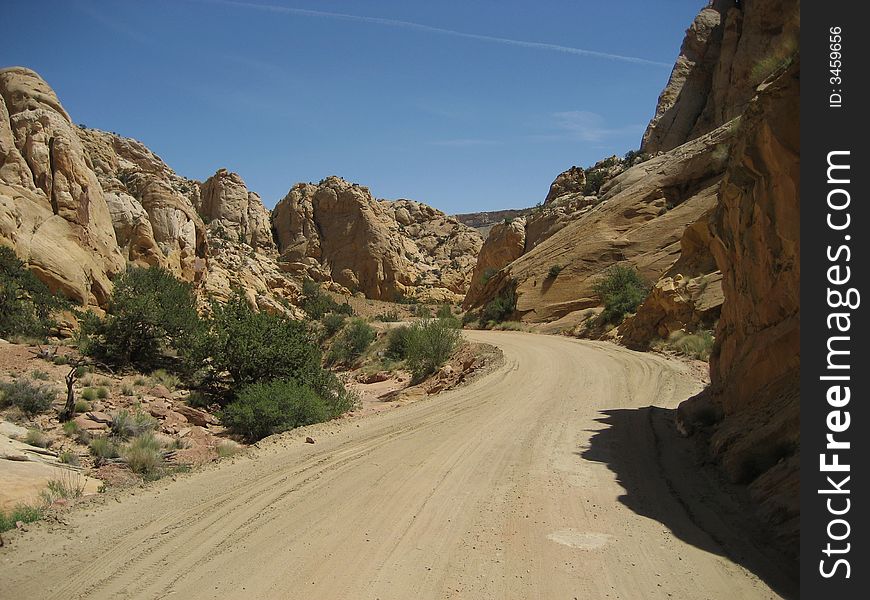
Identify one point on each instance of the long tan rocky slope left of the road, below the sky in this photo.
(79, 204)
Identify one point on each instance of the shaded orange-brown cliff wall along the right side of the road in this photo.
(755, 367)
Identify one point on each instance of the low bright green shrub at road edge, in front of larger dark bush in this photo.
(263, 409)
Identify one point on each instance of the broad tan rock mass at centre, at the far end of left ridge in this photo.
(383, 249)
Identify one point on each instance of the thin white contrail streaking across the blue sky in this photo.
(304, 12)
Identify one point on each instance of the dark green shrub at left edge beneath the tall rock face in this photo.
(26, 304)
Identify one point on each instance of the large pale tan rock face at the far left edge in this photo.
(52, 208)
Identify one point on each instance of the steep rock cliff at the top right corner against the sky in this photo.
(728, 50)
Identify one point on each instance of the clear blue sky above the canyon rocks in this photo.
(466, 105)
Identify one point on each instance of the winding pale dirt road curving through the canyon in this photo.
(496, 490)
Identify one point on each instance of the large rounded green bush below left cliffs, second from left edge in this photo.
(150, 312)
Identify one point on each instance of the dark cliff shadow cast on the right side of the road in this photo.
(671, 479)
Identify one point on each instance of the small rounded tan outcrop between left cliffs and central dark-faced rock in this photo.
(226, 202)
